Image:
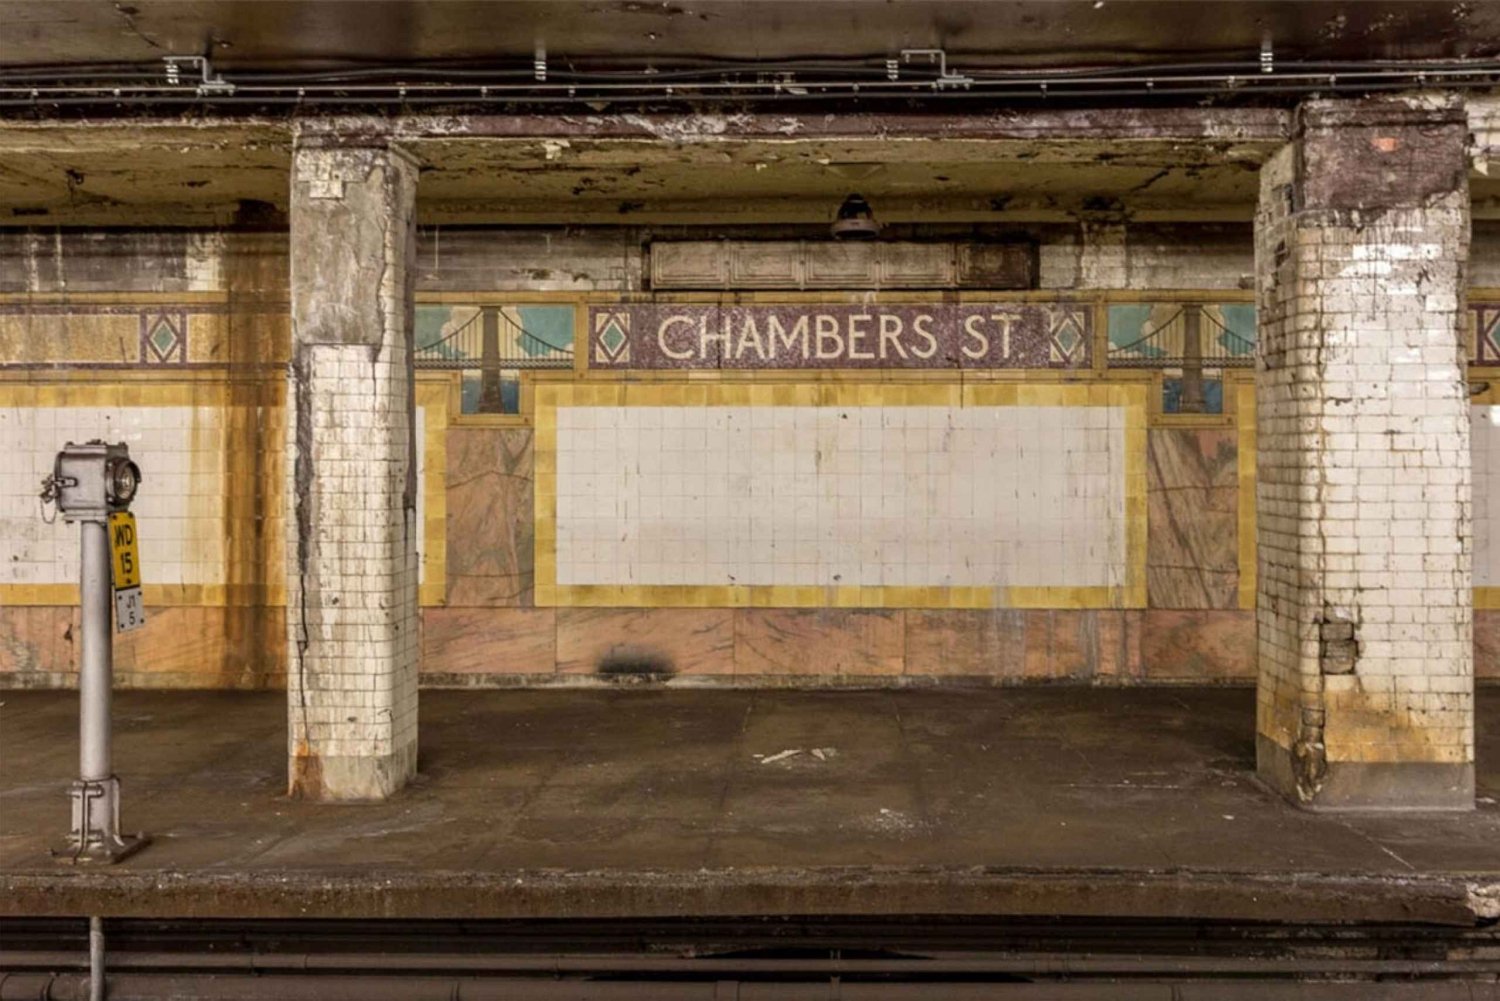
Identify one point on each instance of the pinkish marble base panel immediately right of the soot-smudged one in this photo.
(826, 642)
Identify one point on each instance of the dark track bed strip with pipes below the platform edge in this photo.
(751, 960)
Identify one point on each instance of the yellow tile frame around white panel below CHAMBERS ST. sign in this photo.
(550, 397)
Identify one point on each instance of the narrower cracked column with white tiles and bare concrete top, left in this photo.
(352, 564)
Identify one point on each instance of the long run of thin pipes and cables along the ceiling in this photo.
(769, 83)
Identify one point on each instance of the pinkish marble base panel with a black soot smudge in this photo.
(646, 642)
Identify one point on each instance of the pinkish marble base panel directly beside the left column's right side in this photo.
(499, 642)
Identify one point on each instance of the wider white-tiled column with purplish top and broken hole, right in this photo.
(1366, 606)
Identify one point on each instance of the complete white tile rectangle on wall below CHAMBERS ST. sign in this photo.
(842, 496)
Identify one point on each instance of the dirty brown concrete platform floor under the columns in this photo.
(1039, 801)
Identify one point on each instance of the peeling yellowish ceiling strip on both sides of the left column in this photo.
(113, 175)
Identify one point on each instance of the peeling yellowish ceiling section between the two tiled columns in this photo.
(805, 181)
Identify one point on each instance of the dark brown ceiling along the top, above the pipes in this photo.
(977, 34)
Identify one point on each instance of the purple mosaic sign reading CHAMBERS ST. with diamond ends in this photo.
(812, 337)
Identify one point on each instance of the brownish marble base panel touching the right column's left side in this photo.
(1199, 646)
